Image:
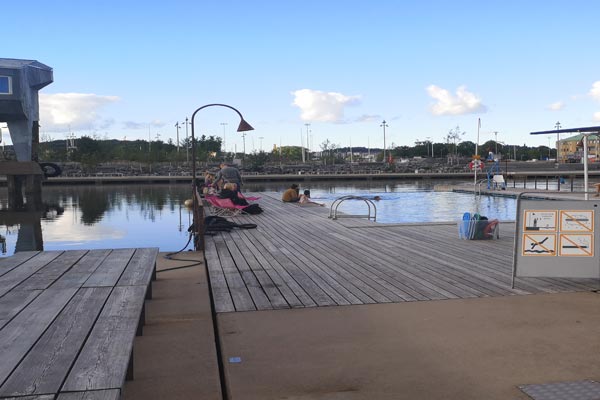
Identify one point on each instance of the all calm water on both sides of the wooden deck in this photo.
(111, 216)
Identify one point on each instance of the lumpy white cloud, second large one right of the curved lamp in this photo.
(463, 103)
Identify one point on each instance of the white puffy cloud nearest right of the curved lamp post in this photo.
(322, 106)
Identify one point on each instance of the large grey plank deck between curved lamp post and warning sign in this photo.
(298, 257)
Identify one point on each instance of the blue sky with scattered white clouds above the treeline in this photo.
(313, 70)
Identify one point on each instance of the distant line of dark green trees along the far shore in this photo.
(93, 151)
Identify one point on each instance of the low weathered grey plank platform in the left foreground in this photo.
(68, 321)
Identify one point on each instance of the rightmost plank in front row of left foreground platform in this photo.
(104, 359)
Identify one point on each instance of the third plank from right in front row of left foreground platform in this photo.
(21, 333)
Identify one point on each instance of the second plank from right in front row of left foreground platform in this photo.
(45, 367)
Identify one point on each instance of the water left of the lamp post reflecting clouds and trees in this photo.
(92, 217)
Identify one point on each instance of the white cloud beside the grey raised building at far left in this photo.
(60, 111)
